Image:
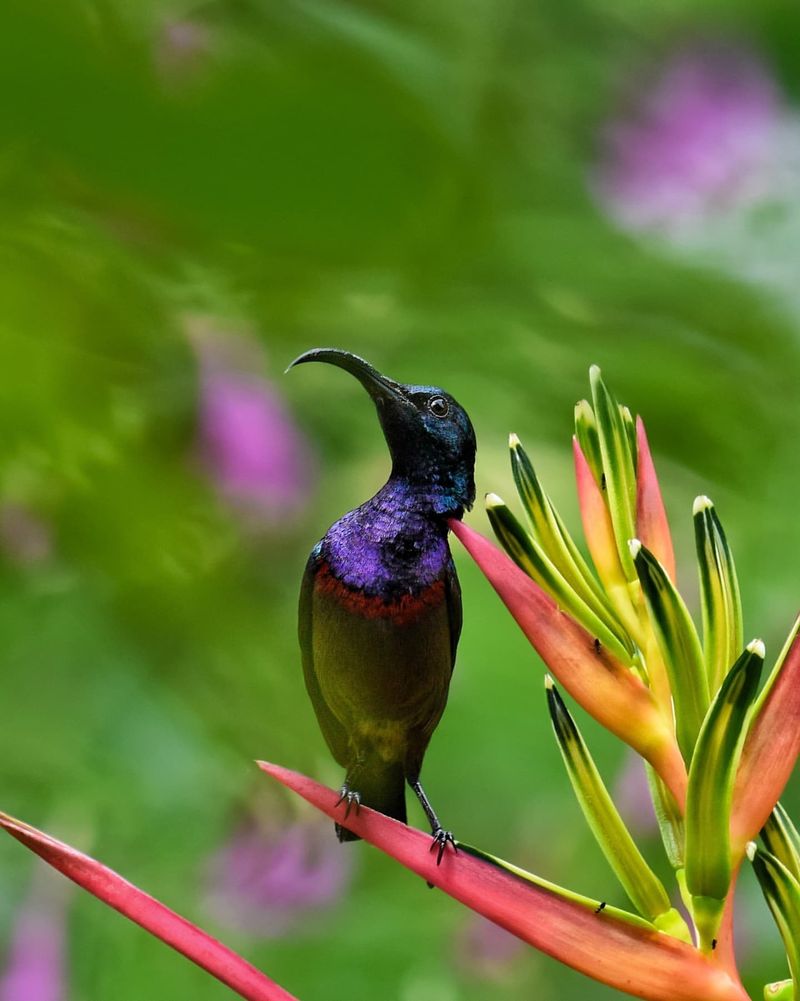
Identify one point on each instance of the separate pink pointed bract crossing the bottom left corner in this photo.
(149, 913)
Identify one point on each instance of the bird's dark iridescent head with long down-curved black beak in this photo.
(430, 437)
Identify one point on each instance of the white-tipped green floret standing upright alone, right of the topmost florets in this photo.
(719, 592)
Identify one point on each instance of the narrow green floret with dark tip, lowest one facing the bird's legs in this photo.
(643, 887)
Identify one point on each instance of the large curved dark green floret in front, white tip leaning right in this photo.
(708, 800)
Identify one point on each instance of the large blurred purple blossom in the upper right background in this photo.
(698, 139)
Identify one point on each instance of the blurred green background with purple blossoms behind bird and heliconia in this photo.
(487, 195)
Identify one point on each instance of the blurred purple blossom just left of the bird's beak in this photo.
(249, 443)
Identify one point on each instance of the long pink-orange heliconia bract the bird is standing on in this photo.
(608, 944)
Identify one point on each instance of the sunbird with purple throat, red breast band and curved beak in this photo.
(381, 605)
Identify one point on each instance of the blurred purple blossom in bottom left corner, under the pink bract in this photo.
(36, 964)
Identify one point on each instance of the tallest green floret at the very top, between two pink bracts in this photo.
(618, 467)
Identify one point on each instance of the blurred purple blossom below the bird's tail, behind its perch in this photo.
(265, 881)
